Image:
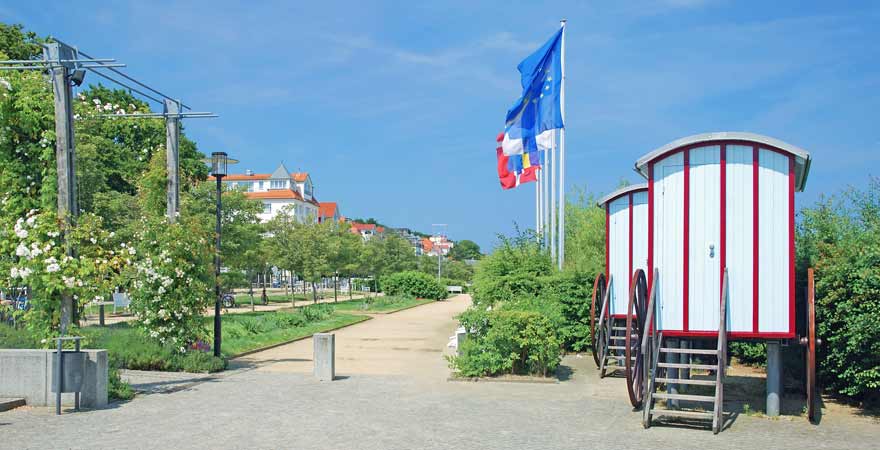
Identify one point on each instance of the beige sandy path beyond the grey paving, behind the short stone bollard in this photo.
(410, 342)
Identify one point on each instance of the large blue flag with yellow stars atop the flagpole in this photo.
(538, 110)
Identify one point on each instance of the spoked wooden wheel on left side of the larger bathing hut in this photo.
(634, 360)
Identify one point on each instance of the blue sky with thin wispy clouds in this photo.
(393, 107)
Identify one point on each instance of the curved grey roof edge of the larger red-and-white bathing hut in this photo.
(802, 157)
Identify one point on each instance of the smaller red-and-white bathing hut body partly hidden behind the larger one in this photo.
(626, 240)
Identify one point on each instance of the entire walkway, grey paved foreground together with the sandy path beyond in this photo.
(271, 401)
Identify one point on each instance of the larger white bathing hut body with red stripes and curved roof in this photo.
(724, 200)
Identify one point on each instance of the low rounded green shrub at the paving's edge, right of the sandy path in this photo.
(508, 341)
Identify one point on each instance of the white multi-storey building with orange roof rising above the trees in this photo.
(278, 190)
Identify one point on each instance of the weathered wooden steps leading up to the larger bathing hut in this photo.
(661, 375)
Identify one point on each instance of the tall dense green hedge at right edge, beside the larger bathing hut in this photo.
(840, 237)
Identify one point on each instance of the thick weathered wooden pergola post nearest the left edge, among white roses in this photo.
(65, 153)
